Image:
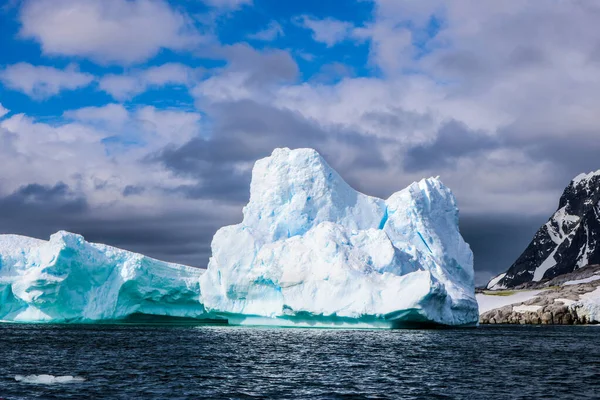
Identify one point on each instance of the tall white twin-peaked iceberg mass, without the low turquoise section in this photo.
(311, 250)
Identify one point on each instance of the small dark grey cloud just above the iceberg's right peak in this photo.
(454, 140)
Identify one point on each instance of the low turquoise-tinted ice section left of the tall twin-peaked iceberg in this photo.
(67, 279)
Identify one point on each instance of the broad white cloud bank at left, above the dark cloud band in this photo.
(99, 152)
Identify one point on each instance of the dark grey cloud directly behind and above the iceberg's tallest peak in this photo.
(245, 131)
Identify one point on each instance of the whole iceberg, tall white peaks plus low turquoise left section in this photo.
(310, 251)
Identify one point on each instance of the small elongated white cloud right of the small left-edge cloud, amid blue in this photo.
(123, 87)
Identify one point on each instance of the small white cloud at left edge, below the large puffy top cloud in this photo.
(41, 82)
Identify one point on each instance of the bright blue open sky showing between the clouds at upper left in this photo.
(232, 25)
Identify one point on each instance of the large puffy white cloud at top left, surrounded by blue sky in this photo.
(107, 31)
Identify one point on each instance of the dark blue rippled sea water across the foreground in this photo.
(187, 362)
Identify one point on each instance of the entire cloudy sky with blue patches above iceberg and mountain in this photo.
(136, 122)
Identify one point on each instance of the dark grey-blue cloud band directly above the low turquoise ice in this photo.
(39, 211)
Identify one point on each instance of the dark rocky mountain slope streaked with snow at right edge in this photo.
(568, 241)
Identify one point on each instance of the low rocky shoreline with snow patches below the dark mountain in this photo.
(564, 300)
